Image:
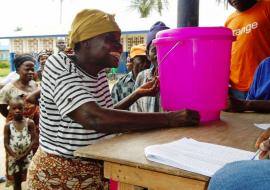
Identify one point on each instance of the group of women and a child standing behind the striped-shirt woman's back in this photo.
(22, 117)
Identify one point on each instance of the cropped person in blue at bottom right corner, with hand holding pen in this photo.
(248, 174)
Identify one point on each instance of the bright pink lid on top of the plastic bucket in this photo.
(195, 32)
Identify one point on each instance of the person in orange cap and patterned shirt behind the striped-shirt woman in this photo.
(125, 85)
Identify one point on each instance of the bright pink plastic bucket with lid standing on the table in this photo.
(194, 67)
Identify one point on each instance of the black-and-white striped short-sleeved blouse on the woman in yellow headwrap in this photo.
(64, 88)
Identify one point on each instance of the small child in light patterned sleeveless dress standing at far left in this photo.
(19, 138)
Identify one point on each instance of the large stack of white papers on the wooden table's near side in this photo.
(195, 156)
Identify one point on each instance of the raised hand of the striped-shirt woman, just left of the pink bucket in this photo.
(148, 89)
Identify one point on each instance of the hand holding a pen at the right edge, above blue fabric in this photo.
(263, 143)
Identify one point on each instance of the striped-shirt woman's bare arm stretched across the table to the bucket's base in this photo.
(104, 120)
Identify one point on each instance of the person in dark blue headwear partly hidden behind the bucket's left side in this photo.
(149, 104)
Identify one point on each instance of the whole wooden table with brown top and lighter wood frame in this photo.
(124, 159)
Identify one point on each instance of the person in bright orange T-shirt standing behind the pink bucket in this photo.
(250, 23)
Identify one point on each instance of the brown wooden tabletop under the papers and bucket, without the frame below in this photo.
(234, 130)
